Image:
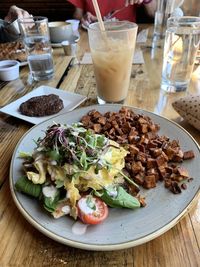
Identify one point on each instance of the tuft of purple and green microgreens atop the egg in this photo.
(72, 144)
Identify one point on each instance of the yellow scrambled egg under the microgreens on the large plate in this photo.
(112, 159)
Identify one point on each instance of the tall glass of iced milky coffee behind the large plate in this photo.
(112, 54)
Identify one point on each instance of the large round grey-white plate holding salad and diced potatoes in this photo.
(123, 228)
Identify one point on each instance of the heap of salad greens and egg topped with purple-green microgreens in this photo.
(71, 161)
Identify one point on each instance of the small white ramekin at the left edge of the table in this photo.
(9, 70)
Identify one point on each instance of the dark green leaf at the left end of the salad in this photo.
(27, 187)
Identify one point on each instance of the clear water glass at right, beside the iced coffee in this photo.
(181, 44)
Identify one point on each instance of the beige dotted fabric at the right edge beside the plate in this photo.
(189, 108)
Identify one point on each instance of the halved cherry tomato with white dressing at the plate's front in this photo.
(92, 210)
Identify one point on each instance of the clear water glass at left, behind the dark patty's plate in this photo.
(36, 39)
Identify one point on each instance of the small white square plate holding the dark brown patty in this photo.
(70, 101)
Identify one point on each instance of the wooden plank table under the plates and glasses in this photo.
(21, 244)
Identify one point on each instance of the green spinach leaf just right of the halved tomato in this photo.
(123, 199)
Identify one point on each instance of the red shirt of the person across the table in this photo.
(106, 6)
